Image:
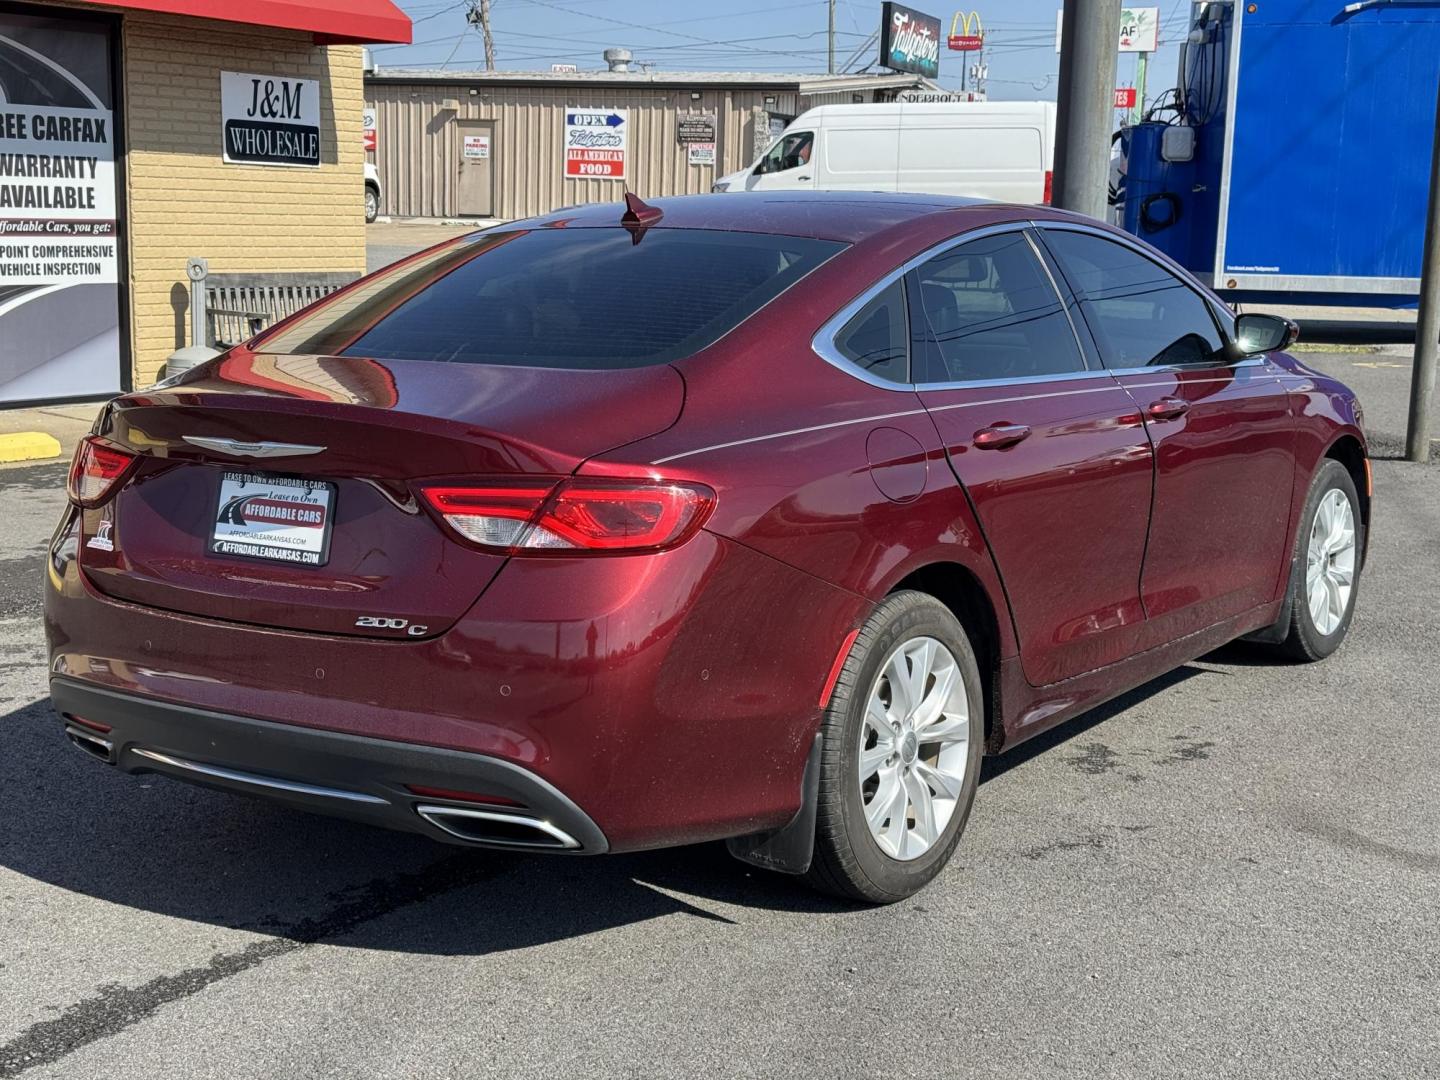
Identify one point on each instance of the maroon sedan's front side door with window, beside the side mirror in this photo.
(1223, 434)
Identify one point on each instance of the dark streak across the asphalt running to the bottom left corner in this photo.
(116, 1009)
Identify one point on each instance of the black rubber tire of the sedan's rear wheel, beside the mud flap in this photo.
(849, 862)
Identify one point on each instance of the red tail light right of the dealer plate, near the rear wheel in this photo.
(574, 516)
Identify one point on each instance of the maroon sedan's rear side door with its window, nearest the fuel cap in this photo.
(1052, 453)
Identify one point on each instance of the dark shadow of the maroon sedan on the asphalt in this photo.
(210, 858)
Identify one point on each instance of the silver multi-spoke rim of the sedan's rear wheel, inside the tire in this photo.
(914, 748)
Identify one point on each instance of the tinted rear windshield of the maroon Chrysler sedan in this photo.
(590, 299)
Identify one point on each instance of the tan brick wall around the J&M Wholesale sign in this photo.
(185, 201)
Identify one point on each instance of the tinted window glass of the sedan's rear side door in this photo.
(993, 313)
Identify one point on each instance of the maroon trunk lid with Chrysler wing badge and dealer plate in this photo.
(335, 446)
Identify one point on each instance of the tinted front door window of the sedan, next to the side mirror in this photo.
(1141, 315)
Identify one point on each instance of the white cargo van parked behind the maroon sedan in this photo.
(1002, 150)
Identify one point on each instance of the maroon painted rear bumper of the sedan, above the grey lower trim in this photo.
(669, 696)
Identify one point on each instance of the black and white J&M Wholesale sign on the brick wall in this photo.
(270, 120)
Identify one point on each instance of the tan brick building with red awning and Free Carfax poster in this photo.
(139, 133)
